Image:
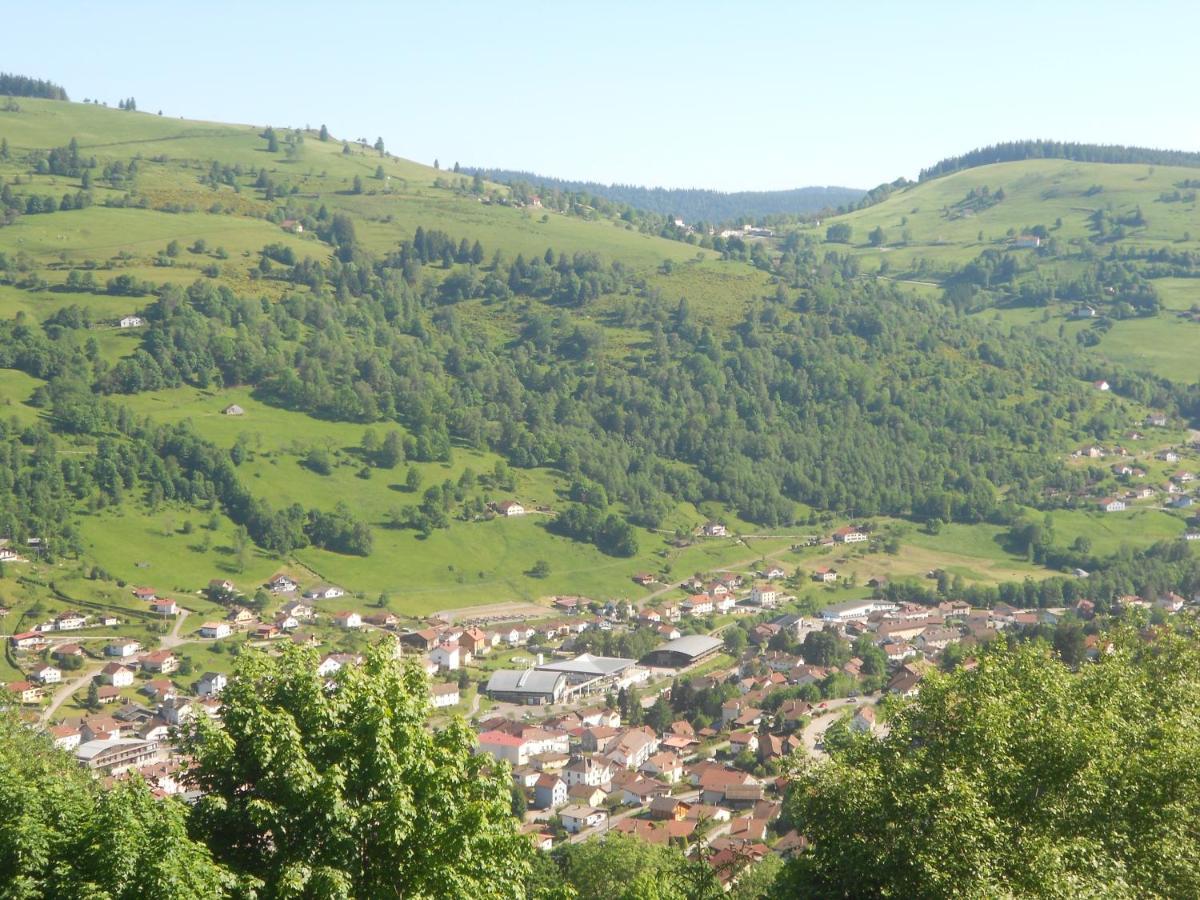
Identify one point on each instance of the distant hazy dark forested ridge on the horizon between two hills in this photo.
(693, 205)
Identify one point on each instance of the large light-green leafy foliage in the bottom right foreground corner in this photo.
(1019, 779)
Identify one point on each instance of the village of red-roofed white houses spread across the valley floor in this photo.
(671, 721)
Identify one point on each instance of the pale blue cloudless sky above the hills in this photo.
(730, 95)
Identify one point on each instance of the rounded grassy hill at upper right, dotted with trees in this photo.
(943, 231)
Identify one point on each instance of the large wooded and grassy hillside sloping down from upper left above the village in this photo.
(643, 377)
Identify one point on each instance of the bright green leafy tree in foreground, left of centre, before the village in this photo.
(339, 791)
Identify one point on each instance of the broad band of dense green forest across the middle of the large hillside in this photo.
(835, 392)
